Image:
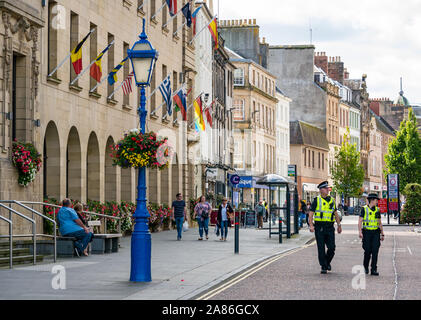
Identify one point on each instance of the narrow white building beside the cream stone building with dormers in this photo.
(282, 134)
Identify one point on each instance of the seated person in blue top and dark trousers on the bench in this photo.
(72, 226)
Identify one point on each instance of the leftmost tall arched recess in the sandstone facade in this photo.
(51, 163)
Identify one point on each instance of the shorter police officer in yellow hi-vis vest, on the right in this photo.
(371, 231)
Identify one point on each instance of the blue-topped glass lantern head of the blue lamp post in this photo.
(143, 58)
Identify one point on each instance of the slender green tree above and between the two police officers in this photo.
(347, 171)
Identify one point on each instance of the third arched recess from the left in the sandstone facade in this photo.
(93, 169)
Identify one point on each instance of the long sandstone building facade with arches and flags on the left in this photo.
(73, 126)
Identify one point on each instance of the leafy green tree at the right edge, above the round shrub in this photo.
(404, 153)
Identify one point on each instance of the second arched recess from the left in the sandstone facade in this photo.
(74, 166)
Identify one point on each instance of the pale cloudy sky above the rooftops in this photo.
(381, 38)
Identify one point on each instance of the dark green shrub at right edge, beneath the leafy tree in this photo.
(411, 212)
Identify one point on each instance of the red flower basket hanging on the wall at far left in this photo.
(27, 160)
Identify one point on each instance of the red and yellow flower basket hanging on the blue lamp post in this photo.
(141, 150)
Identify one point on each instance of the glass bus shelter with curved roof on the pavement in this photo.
(283, 205)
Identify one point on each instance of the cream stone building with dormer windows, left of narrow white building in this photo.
(254, 115)
